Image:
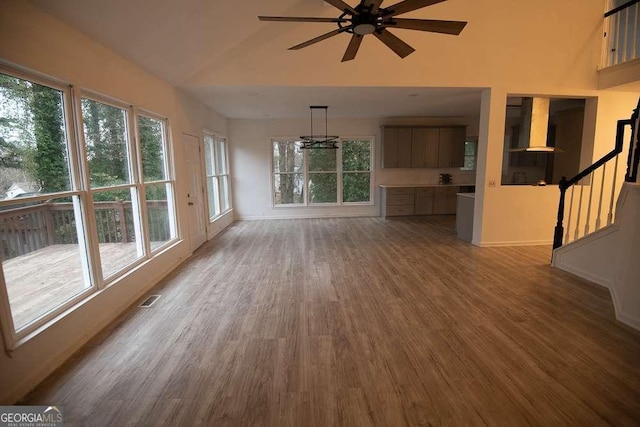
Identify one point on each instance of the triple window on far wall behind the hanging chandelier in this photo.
(330, 176)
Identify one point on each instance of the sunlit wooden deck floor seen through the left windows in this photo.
(42, 280)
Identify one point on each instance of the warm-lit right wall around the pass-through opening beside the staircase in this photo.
(510, 215)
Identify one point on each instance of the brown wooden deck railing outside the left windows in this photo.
(26, 229)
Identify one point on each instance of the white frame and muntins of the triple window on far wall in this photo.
(339, 174)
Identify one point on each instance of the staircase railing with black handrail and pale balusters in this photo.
(604, 185)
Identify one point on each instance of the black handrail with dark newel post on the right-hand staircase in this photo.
(631, 174)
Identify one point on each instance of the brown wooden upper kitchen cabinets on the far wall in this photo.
(423, 147)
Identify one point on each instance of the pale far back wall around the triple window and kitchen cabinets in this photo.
(251, 168)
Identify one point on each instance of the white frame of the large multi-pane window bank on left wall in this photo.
(82, 193)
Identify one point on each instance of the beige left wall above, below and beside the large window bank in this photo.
(37, 41)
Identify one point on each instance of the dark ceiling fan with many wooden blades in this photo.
(369, 18)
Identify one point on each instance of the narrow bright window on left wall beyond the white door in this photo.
(217, 170)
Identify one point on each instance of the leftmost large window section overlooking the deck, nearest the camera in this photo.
(42, 225)
